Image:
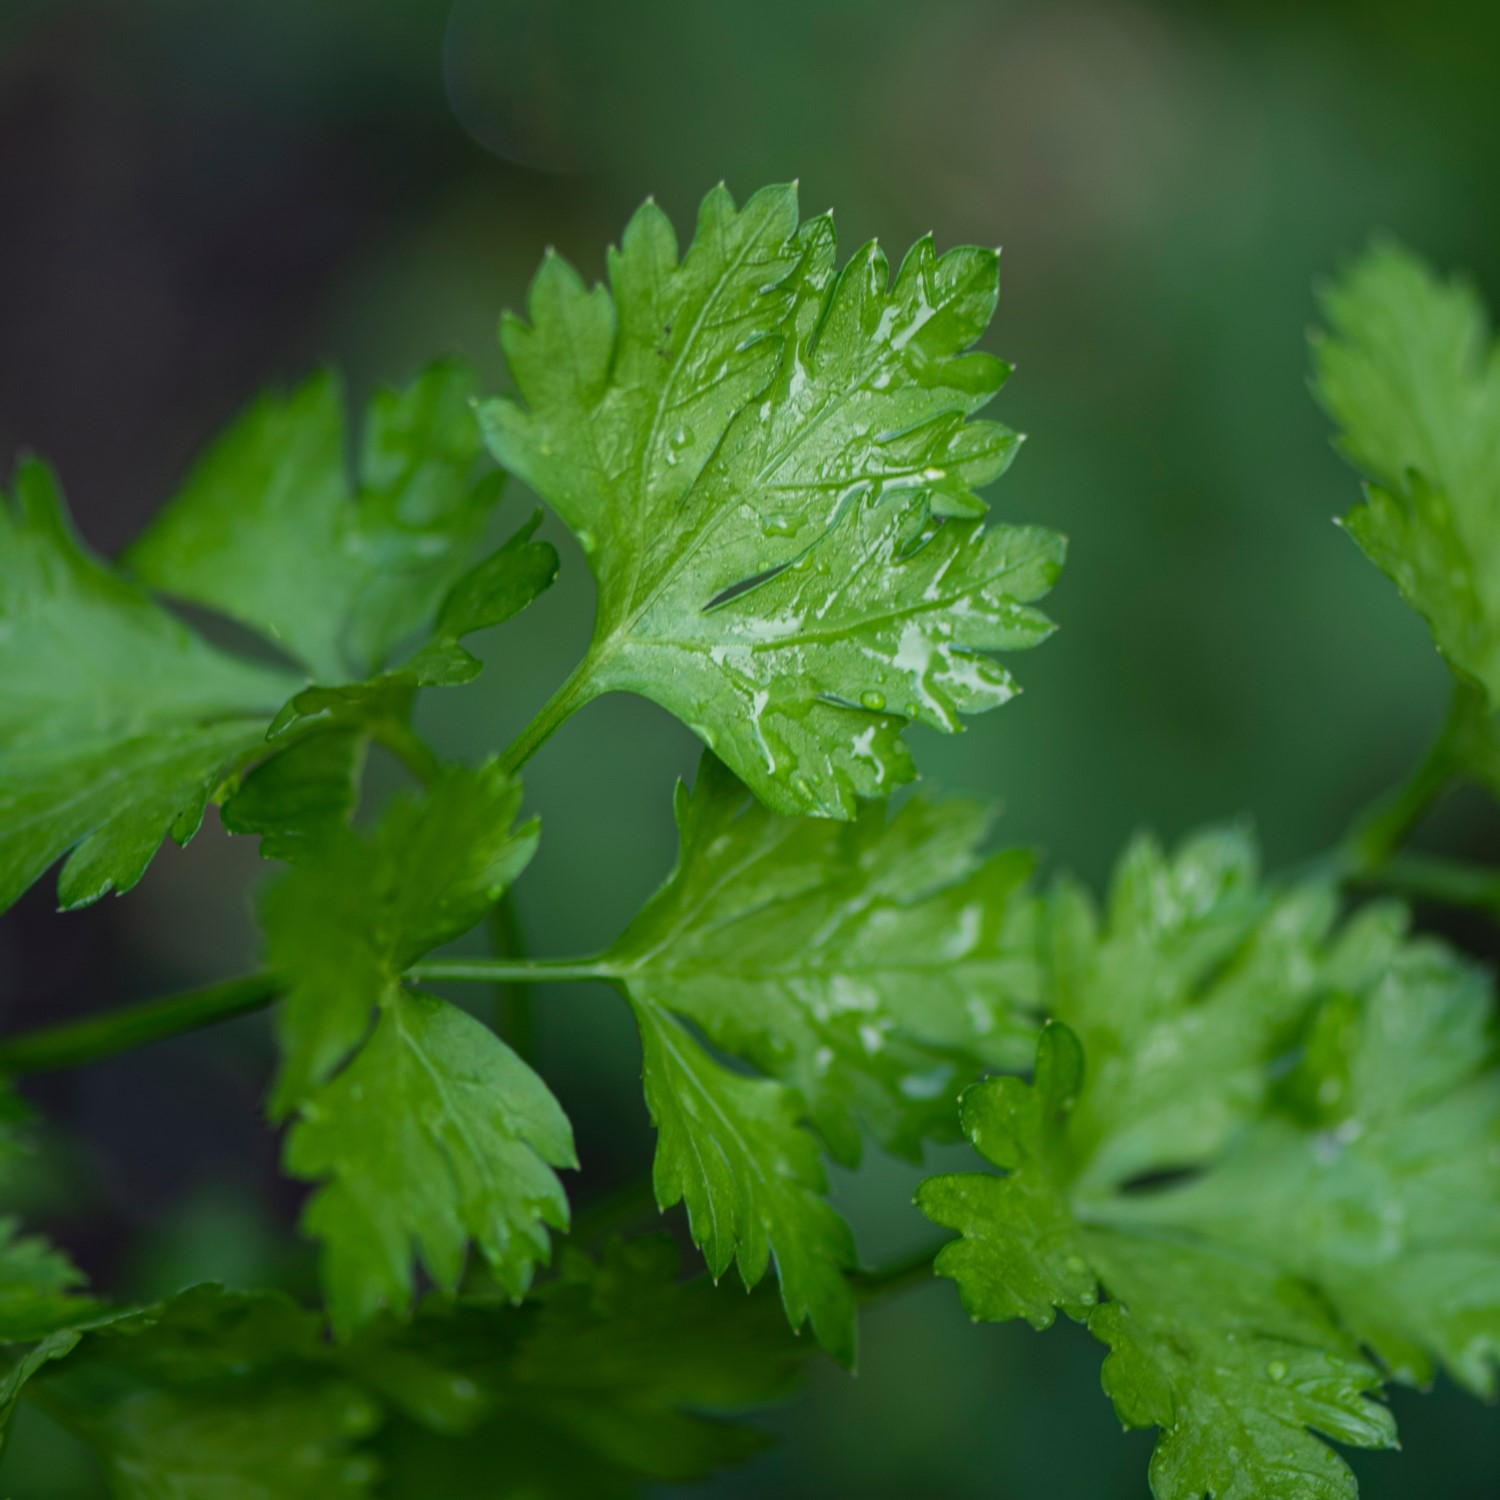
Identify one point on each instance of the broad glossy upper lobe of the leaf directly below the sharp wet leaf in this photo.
(877, 967)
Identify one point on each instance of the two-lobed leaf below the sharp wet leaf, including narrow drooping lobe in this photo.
(868, 970)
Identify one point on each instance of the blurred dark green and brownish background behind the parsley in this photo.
(200, 199)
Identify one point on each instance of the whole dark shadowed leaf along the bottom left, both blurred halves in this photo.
(607, 1378)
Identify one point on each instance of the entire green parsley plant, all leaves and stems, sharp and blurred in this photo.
(1246, 1129)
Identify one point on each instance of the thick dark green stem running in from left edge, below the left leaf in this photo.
(97, 1037)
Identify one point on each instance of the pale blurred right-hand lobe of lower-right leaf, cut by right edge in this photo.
(1379, 1180)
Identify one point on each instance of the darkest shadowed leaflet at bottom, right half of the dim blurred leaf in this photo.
(613, 1375)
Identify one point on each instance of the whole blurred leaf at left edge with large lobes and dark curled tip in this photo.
(121, 724)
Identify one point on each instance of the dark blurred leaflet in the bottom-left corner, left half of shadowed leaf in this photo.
(214, 1394)
